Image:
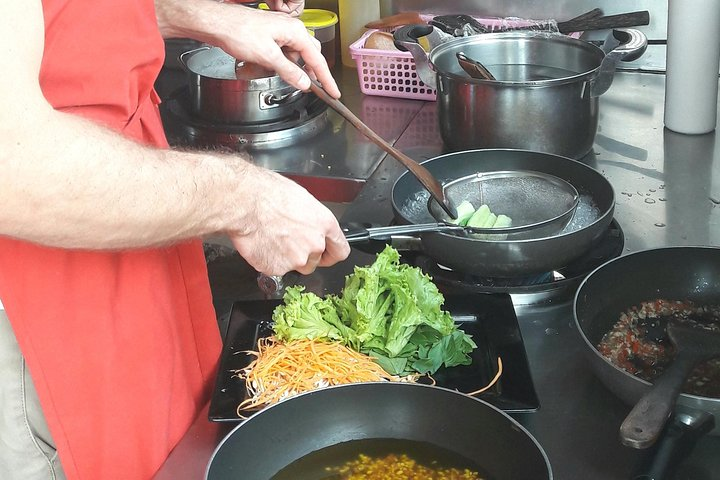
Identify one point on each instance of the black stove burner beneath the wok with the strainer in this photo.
(562, 281)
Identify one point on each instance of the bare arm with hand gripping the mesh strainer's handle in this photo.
(68, 182)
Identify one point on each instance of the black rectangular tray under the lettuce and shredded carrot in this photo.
(489, 318)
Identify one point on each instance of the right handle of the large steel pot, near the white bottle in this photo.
(622, 44)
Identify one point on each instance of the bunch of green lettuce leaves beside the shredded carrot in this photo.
(388, 310)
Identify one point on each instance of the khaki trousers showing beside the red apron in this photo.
(27, 452)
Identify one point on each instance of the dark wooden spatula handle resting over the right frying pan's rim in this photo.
(643, 425)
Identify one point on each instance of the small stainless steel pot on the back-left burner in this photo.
(227, 91)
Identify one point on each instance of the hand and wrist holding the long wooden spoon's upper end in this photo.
(274, 40)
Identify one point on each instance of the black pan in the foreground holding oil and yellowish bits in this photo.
(280, 434)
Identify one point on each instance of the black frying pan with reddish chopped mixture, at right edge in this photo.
(674, 273)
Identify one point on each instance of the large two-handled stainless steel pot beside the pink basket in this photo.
(544, 96)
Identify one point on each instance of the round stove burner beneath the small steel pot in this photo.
(190, 129)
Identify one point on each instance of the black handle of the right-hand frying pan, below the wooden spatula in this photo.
(679, 438)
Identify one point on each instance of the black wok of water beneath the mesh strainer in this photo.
(508, 258)
